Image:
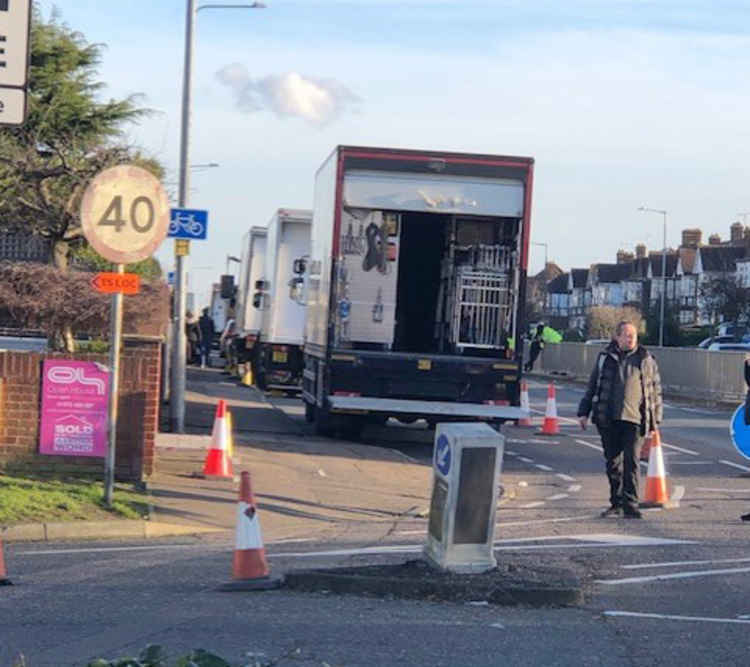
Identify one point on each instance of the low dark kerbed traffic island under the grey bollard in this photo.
(508, 584)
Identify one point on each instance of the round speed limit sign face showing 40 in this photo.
(125, 214)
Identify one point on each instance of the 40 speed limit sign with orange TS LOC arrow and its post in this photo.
(124, 216)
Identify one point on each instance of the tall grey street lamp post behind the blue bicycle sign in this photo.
(177, 393)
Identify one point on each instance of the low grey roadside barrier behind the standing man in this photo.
(685, 371)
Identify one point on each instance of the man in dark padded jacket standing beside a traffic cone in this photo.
(623, 398)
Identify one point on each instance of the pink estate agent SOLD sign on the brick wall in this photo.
(74, 408)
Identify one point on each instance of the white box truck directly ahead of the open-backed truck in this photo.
(279, 361)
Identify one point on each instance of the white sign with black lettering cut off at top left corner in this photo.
(15, 23)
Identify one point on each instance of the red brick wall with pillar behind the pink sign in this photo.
(138, 407)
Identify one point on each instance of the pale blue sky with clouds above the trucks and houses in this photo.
(622, 104)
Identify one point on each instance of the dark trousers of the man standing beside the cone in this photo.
(622, 451)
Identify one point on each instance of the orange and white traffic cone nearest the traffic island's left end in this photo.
(249, 566)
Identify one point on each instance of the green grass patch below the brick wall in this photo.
(32, 500)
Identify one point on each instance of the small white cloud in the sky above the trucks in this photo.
(289, 95)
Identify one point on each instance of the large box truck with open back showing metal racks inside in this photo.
(415, 287)
